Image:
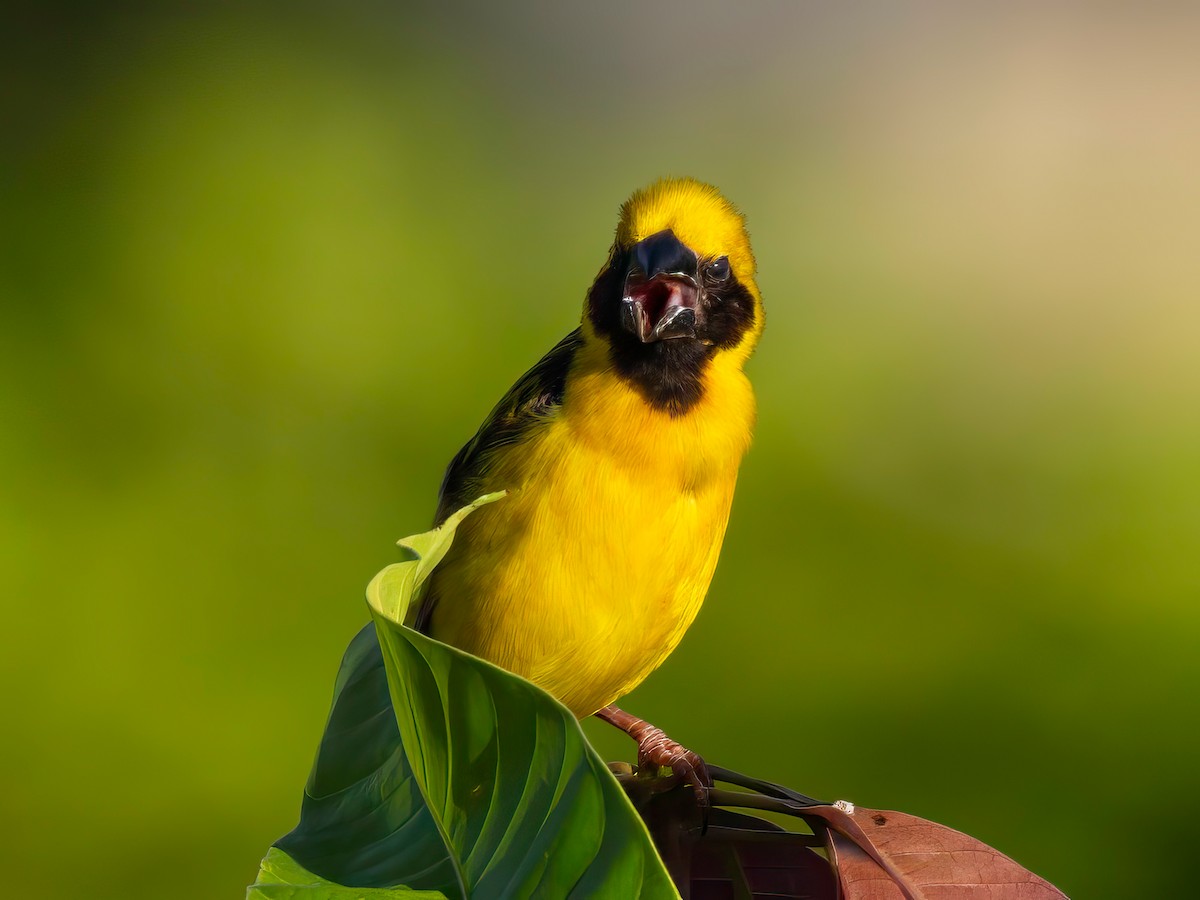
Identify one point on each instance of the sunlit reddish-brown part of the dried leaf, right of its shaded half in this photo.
(892, 856)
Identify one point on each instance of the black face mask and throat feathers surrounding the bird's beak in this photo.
(669, 375)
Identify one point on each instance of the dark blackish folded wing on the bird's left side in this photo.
(532, 401)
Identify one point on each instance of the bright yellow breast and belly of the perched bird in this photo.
(587, 575)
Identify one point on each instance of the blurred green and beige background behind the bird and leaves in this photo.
(266, 268)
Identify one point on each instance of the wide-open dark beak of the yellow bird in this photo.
(662, 298)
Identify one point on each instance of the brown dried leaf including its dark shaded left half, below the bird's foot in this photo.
(873, 855)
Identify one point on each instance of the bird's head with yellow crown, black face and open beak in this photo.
(679, 291)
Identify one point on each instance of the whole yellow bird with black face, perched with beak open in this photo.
(620, 452)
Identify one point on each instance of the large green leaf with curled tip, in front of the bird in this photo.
(469, 781)
